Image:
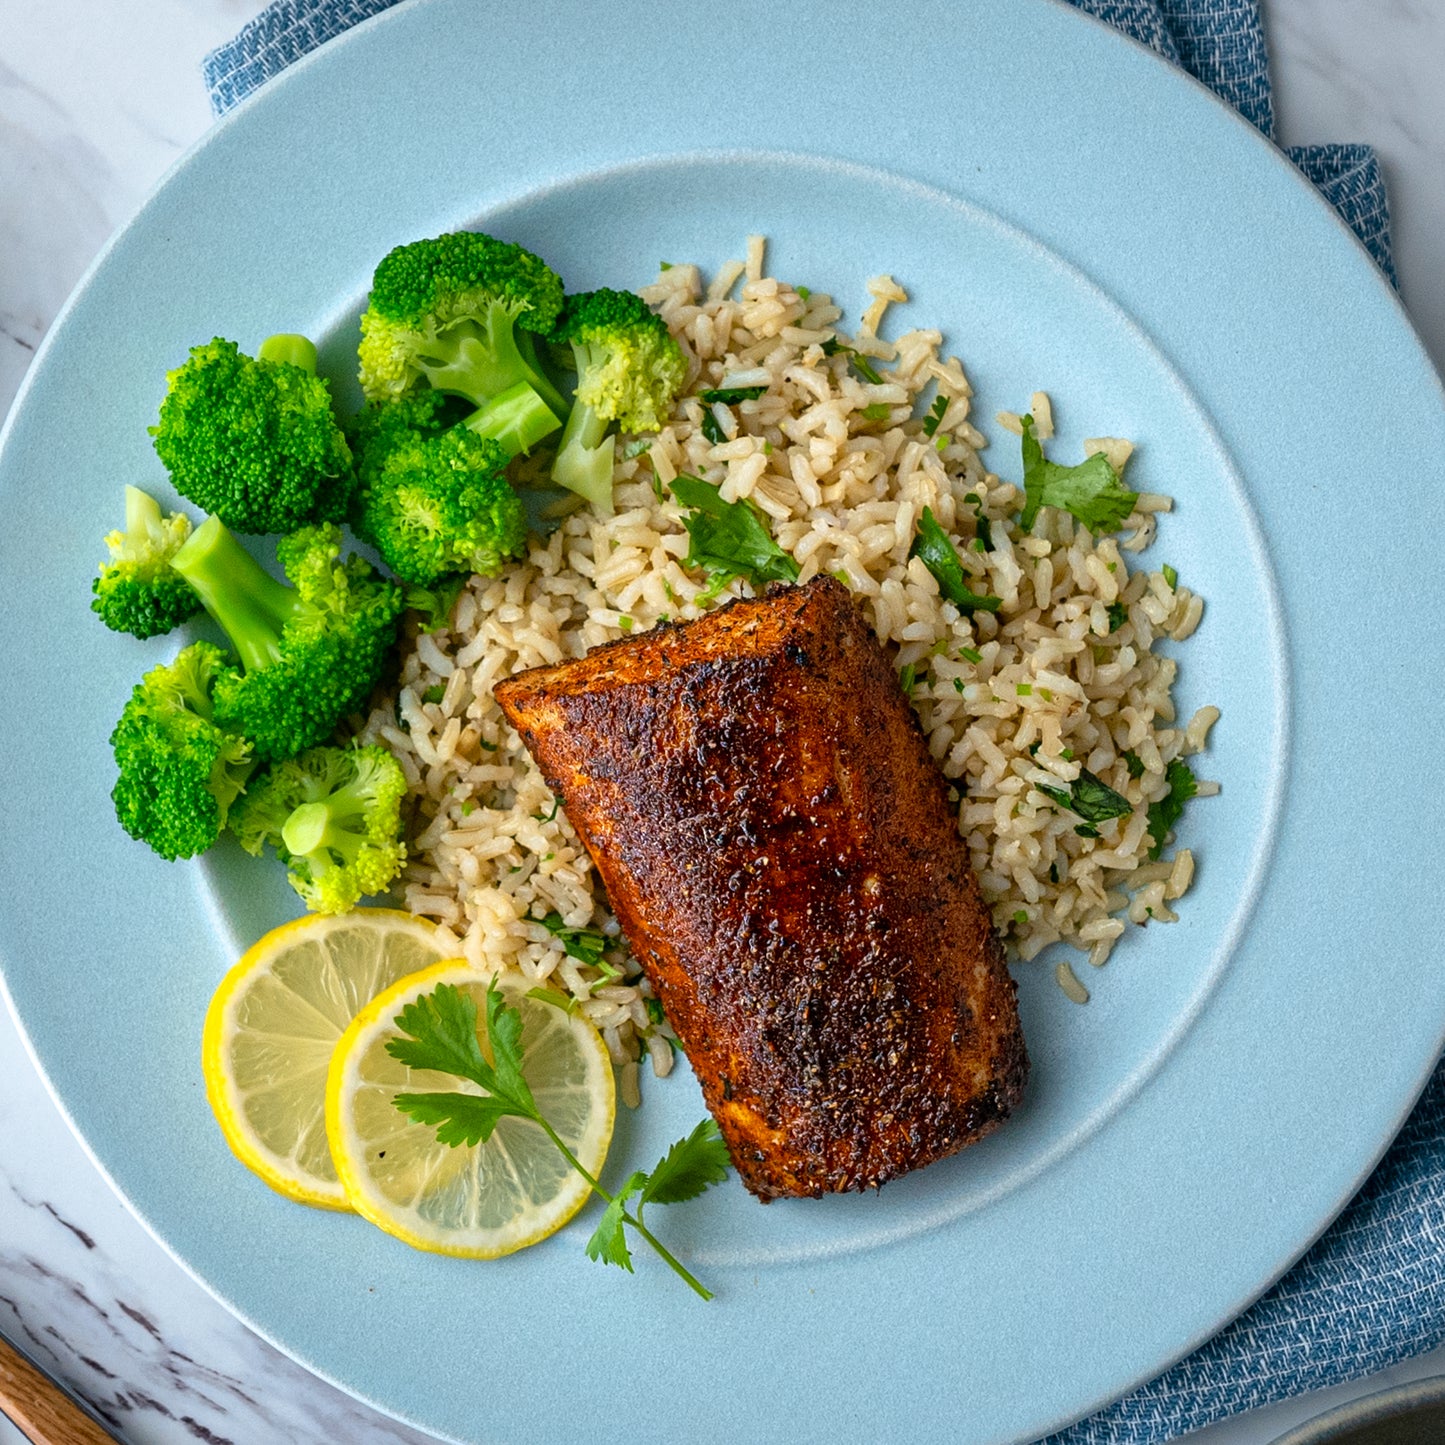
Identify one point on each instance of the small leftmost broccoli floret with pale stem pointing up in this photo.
(138, 592)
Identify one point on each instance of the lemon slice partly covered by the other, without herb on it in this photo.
(274, 1025)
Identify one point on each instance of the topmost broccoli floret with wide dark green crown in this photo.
(459, 313)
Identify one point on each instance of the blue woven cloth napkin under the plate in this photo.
(1372, 1291)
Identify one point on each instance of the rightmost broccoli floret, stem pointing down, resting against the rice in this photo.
(629, 369)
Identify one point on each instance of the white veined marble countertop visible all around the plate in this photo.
(98, 99)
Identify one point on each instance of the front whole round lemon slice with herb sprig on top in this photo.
(482, 1202)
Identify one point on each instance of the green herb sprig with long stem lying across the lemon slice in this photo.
(440, 1034)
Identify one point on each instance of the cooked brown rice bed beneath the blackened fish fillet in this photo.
(1008, 702)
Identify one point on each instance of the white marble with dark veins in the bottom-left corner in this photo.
(93, 1301)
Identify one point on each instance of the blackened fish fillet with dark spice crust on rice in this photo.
(780, 849)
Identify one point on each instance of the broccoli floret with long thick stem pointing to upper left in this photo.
(311, 652)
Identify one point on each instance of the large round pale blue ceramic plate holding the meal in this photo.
(1076, 217)
